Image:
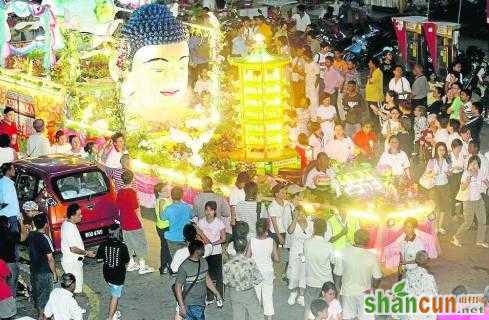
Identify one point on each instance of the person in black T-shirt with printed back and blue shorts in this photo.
(115, 256)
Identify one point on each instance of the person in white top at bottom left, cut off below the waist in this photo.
(61, 304)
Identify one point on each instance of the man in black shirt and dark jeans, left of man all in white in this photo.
(42, 264)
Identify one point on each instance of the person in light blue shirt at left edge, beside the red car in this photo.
(9, 204)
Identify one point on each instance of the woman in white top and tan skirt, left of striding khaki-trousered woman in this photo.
(439, 168)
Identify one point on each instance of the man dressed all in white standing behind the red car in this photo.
(72, 246)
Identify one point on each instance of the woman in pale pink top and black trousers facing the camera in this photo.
(214, 229)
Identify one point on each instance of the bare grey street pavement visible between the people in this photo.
(149, 297)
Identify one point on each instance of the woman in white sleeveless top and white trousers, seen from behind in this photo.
(264, 252)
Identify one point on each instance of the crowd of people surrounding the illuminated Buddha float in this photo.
(236, 247)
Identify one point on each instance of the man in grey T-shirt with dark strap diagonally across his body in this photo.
(192, 282)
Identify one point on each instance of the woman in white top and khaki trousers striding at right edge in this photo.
(474, 182)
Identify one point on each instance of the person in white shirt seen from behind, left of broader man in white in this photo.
(319, 256)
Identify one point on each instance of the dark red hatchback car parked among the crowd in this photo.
(56, 181)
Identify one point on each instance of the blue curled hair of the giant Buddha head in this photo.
(152, 24)
